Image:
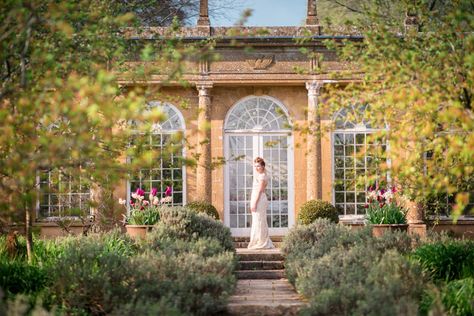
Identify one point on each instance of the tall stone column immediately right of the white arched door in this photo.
(313, 150)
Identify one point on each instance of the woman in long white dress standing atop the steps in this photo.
(259, 238)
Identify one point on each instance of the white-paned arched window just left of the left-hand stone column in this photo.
(169, 169)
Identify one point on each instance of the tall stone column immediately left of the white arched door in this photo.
(203, 171)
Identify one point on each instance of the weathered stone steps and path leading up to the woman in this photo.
(262, 288)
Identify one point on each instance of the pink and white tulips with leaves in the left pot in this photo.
(143, 211)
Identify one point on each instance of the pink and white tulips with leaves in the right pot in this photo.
(382, 207)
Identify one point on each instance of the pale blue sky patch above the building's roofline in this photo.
(266, 13)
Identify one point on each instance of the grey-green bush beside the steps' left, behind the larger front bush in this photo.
(181, 223)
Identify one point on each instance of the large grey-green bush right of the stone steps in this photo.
(349, 272)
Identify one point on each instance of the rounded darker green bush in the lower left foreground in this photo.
(102, 276)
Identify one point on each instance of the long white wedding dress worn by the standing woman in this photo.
(259, 238)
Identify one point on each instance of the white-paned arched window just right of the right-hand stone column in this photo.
(357, 156)
